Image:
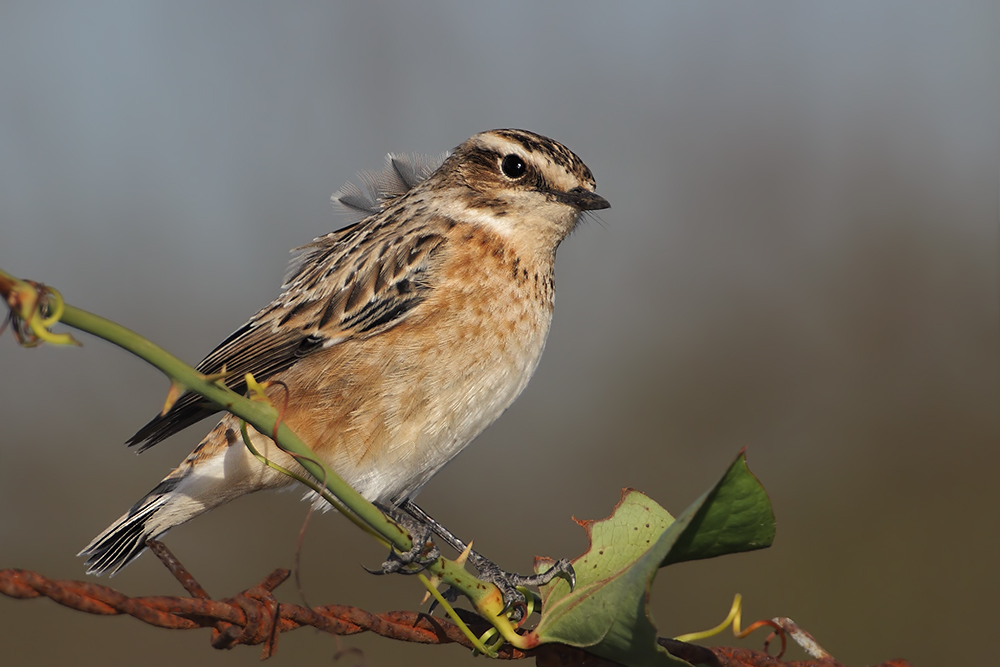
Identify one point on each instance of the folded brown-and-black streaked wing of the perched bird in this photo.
(354, 283)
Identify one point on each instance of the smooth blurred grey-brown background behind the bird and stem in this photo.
(801, 259)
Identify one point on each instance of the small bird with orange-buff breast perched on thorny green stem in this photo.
(394, 342)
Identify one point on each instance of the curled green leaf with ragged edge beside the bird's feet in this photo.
(607, 613)
